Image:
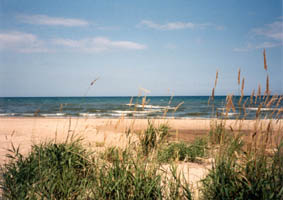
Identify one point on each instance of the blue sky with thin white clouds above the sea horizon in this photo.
(57, 48)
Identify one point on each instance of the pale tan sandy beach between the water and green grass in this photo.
(24, 132)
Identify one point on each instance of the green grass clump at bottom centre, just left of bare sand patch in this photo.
(125, 177)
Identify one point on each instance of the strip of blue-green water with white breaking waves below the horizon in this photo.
(103, 107)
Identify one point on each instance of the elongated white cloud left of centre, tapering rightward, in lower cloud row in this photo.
(98, 44)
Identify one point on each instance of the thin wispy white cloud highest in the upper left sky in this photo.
(52, 21)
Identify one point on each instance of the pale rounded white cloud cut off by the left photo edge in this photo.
(21, 42)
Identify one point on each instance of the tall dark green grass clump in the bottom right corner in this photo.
(251, 176)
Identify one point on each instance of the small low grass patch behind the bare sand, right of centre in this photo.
(183, 152)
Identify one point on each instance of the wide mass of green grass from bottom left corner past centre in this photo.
(68, 171)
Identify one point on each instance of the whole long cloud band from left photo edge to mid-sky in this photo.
(30, 43)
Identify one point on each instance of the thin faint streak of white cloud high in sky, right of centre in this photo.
(177, 25)
